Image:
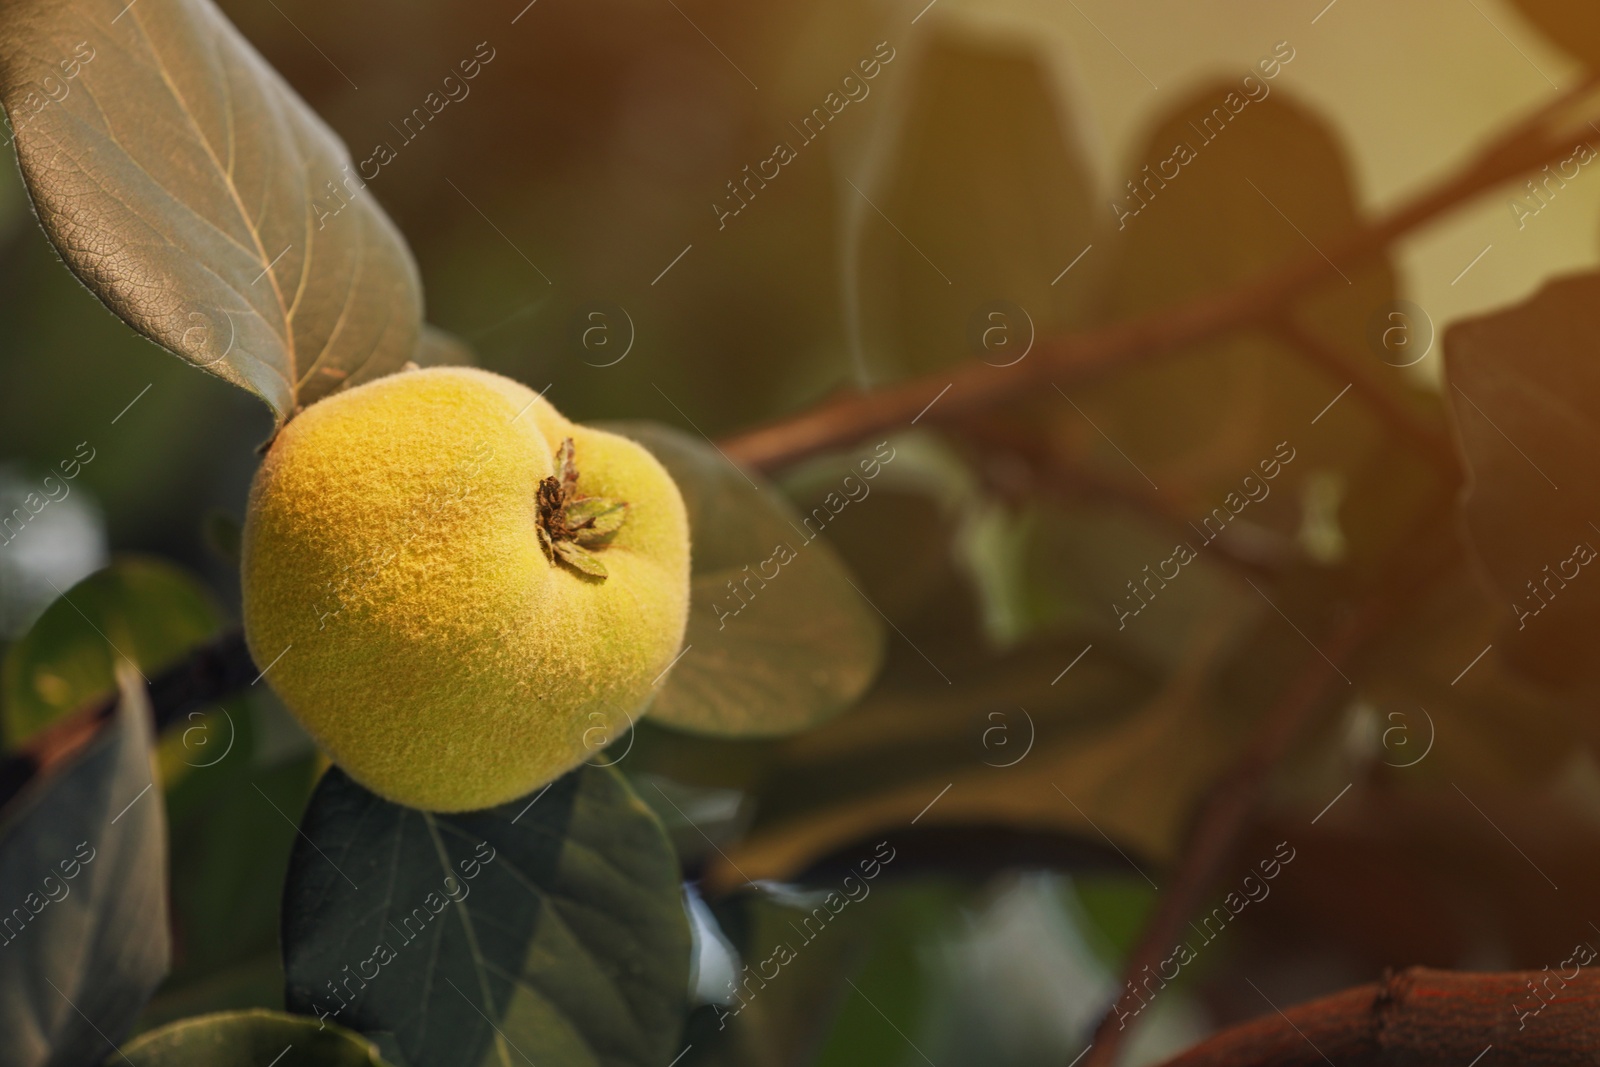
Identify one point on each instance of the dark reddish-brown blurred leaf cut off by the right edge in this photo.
(1527, 401)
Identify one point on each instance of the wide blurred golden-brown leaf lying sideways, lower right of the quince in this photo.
(1108, 748)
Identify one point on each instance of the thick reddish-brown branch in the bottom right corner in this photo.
(1422, 1018)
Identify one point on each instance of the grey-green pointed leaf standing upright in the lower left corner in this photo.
(84, 874)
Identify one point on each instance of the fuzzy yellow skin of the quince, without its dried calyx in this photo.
(434, 650)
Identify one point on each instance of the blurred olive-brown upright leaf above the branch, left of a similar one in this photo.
(943, 286)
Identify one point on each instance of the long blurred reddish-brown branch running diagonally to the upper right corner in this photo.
(852, 417)
